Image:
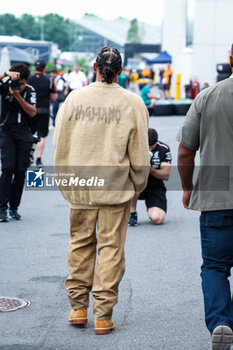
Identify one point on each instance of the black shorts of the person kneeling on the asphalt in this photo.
(154, 198)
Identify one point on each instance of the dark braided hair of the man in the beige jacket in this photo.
(109, 63)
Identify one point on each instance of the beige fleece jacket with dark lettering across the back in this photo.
(101, 140)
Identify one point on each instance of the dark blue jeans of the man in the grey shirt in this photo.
(217, 253)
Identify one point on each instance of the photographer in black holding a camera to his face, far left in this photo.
(18, 106)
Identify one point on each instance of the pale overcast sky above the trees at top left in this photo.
(150, 11)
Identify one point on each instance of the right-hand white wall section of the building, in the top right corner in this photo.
(212, 37)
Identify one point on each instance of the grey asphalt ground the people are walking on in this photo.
(160, 301)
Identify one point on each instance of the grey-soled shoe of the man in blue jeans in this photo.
(222, 338)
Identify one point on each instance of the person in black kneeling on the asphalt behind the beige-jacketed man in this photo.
(155, 191)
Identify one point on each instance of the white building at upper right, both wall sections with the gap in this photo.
(212, 39)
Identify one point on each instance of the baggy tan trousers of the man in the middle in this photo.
(101, 231)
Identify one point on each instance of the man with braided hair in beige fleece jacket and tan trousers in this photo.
(101, 130)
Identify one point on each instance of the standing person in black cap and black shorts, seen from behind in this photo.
(45, 91)
